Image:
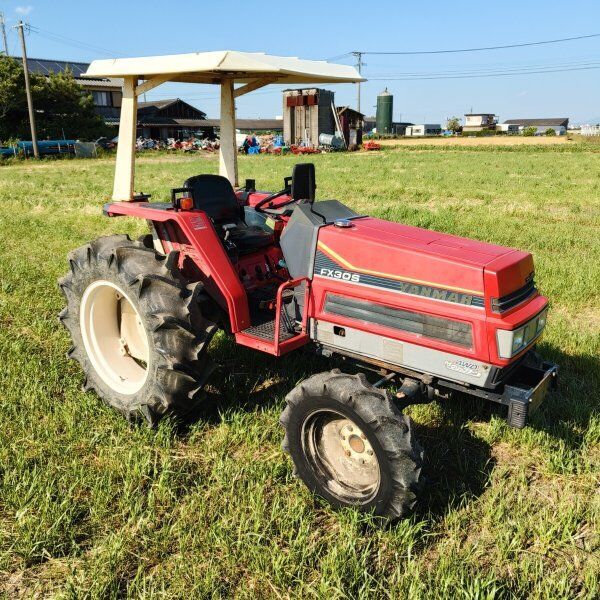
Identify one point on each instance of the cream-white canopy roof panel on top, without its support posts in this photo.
(212, 67)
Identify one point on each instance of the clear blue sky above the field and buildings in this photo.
(321, 30)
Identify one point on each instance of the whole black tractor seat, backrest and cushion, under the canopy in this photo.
(215, 196)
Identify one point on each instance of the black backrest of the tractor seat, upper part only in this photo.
(214, 195)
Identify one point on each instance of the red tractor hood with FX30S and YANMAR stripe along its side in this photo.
(419, 261)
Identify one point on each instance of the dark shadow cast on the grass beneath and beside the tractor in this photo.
(458, 464)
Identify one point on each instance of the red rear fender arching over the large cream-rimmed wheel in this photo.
(193, 235)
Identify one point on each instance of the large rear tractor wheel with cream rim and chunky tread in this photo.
(137, 327)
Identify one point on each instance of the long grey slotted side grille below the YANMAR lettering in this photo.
(422, 324)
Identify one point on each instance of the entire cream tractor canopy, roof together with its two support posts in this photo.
(225, 68)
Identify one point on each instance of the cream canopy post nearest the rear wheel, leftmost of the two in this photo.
(125, 167)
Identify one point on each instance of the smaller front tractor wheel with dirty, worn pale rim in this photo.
(351, 445)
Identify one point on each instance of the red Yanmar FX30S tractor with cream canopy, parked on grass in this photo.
(434, 313)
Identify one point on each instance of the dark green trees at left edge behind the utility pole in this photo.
(61, 106)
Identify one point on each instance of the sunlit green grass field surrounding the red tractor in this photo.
(91, 506)
